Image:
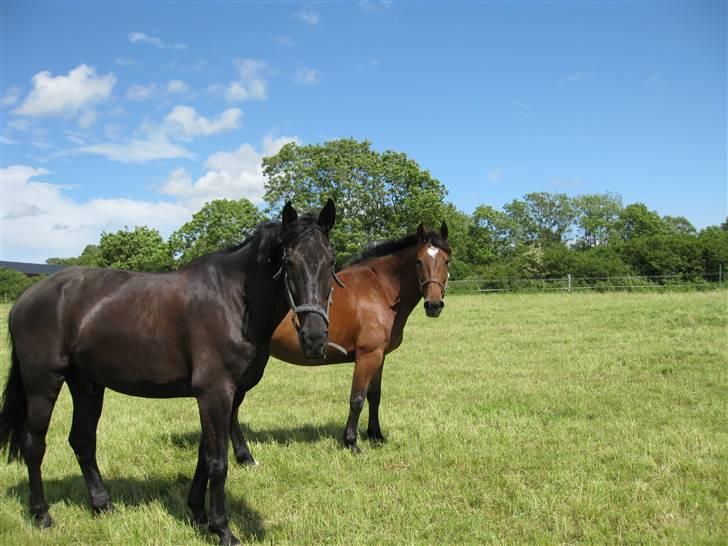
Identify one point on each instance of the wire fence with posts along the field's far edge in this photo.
(569, 283)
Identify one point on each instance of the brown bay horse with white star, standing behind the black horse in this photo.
(367, 319)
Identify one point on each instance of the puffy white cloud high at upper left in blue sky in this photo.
(71, 95)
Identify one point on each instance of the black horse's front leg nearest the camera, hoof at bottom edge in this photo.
(215, 410)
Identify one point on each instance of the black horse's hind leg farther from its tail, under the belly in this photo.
(88, 401)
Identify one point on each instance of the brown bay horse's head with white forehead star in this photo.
(433, 261)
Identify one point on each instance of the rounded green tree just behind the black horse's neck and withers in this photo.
(218, 224)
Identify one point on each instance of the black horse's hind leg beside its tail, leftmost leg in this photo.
(41, 400)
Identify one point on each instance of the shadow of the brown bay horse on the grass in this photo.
(307, 434)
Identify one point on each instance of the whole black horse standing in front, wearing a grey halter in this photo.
(203, 331)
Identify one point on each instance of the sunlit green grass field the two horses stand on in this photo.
(557, 418)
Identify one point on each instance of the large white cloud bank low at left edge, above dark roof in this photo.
(40, 220)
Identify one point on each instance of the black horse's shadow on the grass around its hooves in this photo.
(171, 493)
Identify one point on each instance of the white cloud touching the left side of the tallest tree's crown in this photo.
(230, 175)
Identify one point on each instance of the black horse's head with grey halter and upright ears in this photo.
(307, 270)
